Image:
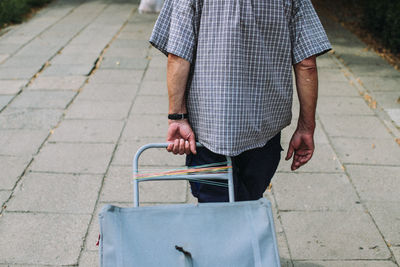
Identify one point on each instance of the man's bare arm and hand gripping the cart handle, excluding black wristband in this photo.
(180, 135)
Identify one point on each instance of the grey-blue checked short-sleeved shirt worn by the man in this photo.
(239, 93)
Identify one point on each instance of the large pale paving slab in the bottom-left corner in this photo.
(52, 239)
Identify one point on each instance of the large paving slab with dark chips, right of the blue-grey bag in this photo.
(333, 236)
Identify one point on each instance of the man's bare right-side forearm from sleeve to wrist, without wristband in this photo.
(307, 91)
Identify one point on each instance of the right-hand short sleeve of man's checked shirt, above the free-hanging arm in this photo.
(308, 37)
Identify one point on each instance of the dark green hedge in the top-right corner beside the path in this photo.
(382, 17)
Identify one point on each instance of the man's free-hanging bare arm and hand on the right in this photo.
(302, 142)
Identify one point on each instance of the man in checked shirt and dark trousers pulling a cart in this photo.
(229, 78)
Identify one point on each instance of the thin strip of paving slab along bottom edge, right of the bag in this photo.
(344, 263)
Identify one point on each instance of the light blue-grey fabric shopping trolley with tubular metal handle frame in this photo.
(231, 234)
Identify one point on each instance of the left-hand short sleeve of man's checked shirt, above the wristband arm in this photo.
(174, 31)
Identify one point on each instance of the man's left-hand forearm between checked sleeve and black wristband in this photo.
(177, 75)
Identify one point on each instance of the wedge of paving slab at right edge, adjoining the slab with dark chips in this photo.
(387, 217)
